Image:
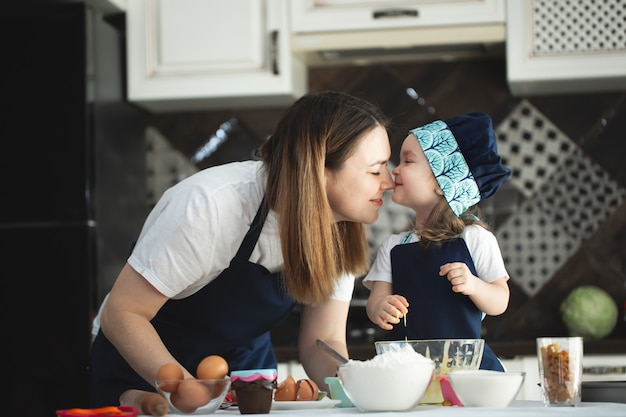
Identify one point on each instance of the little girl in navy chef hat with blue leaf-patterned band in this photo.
(449, 269)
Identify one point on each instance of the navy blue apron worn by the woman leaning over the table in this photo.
(230, 317)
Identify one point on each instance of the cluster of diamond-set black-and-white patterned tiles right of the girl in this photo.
(568, 197)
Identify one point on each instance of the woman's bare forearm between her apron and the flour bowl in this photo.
(328, 322)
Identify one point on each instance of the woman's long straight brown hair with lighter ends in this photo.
(320, 131)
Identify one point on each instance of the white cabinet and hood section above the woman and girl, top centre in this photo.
(368, 31)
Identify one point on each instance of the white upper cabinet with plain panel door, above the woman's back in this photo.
(196, 55)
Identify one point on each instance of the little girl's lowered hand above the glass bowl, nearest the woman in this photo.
(383, 308)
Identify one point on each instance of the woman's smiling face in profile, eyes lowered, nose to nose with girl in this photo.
(355, 192)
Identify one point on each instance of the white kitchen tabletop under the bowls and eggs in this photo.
(518, 408)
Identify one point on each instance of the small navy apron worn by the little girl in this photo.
(435, 311)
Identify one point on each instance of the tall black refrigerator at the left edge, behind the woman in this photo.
(72, 190)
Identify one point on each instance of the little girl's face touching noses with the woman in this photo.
(416, 185)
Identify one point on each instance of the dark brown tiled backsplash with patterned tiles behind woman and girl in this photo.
(561, 216)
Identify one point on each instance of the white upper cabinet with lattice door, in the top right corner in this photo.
(556, 47)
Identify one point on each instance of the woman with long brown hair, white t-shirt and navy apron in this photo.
(226, 253)
